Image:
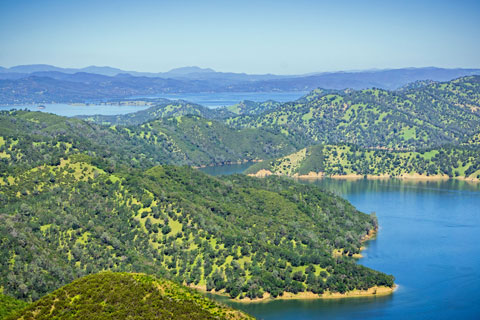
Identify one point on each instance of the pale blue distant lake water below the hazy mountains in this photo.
(211, 100)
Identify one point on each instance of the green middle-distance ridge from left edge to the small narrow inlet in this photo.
(34, 138)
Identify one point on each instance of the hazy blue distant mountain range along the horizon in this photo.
(46, 83)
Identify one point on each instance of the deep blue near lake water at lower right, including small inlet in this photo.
(429, 239)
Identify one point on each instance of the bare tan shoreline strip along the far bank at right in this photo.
(321, 175)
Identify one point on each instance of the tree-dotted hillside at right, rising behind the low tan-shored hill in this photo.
(415, 117)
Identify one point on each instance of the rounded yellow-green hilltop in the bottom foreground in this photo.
(110, 295)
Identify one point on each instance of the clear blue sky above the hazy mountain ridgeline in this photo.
(283, 37)
